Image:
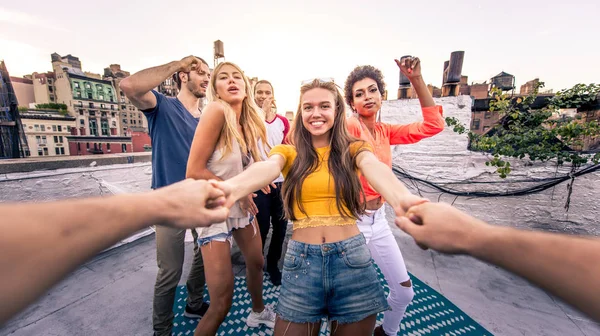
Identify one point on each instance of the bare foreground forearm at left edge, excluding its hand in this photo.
(41, 243)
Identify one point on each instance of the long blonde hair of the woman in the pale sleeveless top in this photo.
(252, 120)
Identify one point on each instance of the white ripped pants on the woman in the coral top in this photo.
(387, 255)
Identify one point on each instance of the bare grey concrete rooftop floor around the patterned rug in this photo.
(112, 295)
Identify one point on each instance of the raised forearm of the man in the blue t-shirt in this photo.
(144, 81)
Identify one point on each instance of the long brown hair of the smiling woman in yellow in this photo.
(342, 165)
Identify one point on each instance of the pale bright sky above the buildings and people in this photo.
(287, 42)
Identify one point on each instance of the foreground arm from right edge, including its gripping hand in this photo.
(566, 266)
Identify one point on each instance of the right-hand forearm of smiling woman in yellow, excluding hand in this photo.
(383, 180)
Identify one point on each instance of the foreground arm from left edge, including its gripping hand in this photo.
(65, 234)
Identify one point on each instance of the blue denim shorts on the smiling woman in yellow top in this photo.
(336, 281)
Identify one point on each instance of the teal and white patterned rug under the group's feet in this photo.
(430, 313)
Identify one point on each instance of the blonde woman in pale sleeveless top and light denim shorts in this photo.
(228, 139)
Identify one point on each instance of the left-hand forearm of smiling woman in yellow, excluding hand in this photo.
(257, 176)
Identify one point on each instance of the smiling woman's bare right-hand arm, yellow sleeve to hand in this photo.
(386, 183)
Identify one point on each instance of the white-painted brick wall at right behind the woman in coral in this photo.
(445, 158)
